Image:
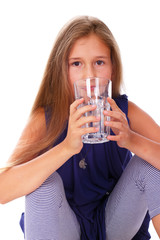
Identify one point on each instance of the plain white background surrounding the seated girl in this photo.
(27, 32)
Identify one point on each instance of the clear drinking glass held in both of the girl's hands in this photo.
(95, 91)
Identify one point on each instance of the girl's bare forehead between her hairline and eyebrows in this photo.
(91, 43)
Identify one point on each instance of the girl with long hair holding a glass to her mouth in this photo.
(63, 199)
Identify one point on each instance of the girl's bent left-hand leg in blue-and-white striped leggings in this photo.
(48, 214)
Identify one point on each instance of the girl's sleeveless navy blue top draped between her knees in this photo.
(87, 190)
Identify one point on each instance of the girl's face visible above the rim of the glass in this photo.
(89, 57)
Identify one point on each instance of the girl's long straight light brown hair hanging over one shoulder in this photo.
(55, 90)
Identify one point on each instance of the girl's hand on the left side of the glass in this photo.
(73, 140)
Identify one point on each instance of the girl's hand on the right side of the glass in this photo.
(119, 125)
